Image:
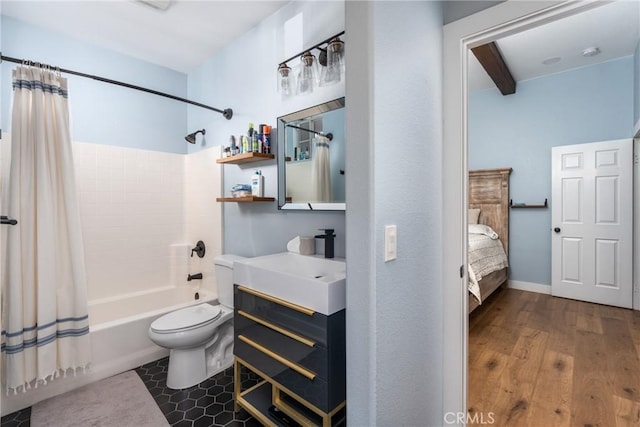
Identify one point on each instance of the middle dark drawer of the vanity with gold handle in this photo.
(294, 348)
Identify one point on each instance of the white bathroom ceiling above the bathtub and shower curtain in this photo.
(181, 38)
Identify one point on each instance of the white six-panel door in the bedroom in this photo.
(592, 222)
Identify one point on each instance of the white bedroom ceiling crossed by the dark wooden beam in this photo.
(613, 27)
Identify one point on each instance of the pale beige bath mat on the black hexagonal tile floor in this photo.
(119, 401)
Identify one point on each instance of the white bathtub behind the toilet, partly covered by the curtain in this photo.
(119, 339)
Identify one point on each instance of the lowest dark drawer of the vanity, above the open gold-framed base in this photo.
(325, 395)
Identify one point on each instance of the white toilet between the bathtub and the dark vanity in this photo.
(199, 337)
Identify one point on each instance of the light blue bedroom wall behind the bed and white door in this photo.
(584, 105)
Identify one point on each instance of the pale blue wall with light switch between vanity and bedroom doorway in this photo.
(394, 176)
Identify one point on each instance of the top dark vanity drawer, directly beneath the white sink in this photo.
(315, 326)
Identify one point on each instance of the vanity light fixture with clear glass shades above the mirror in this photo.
(331, 59)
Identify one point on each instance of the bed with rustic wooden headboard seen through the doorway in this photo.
(488, 193)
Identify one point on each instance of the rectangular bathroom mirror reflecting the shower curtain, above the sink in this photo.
(311, 158)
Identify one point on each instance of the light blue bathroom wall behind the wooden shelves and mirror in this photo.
(242, 76)
